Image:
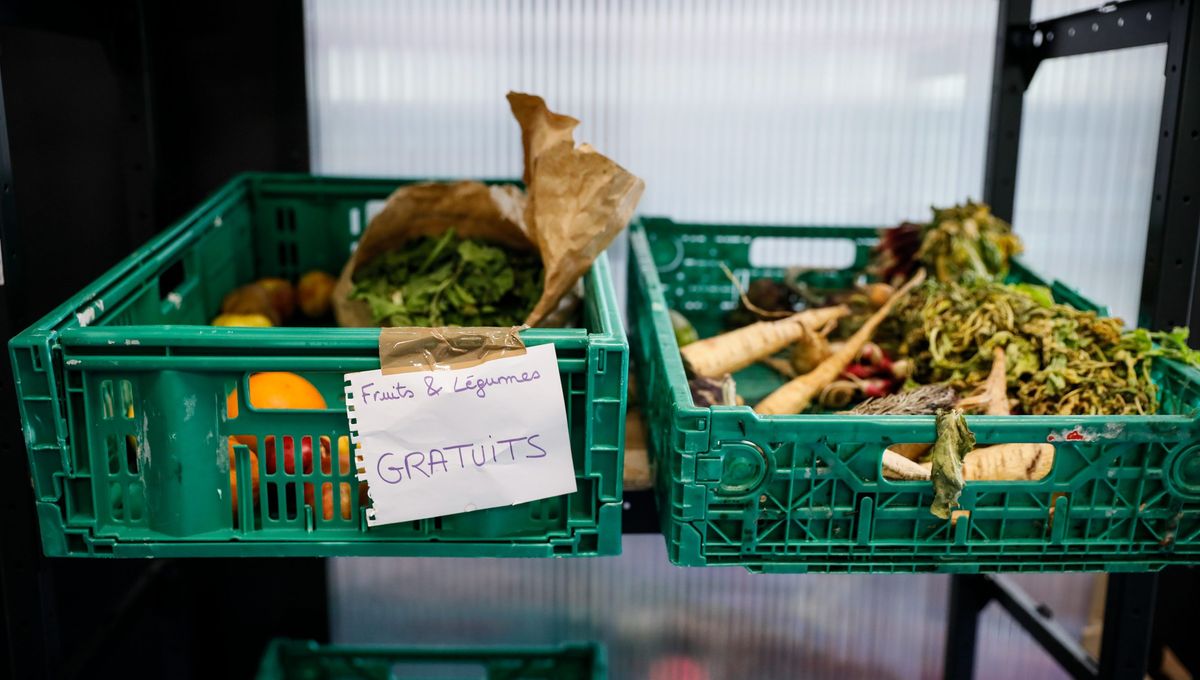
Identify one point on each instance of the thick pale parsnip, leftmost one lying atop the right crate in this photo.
(734, 351)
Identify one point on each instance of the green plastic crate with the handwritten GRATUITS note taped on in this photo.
(123, 399)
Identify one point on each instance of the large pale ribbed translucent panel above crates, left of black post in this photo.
(764, 112)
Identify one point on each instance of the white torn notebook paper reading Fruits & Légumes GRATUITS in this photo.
(434, 443)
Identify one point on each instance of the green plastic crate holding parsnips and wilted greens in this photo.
(806, 492)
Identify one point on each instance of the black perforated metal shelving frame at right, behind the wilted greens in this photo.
(1168, 296)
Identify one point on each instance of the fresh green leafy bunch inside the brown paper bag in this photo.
(446, 281)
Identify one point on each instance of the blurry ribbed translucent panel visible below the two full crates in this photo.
(664, 622)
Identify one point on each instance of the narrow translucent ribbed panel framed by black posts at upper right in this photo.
(1087, 172)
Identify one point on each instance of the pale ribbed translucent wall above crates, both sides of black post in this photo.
(764, 112)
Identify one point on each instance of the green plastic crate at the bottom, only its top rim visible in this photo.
(295, 660)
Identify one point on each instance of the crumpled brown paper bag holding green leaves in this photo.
(578, 202)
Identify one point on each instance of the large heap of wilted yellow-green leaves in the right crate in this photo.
(1060, 362)
